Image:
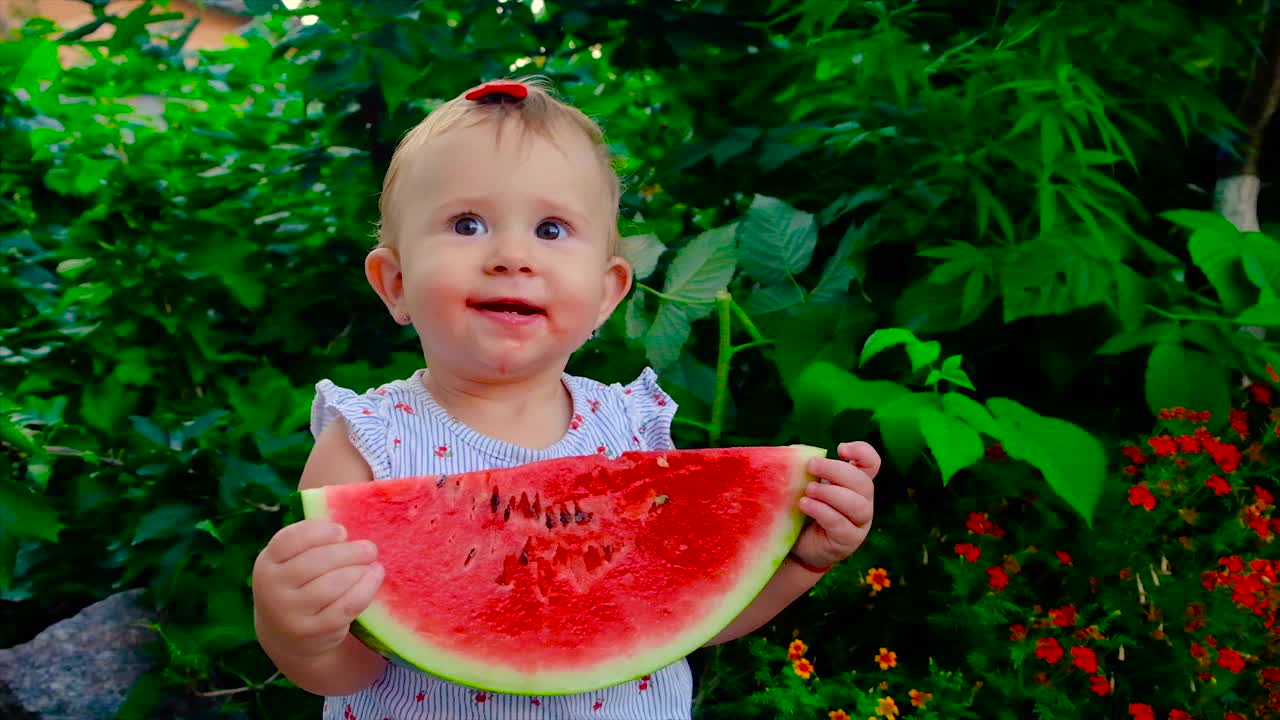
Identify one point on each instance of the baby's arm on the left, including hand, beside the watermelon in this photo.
(309, 585)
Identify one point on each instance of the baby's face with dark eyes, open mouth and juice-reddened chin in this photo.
(505, 250)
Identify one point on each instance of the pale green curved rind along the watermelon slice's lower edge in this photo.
(378, 630)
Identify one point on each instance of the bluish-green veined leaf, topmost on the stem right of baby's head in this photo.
(776, 241)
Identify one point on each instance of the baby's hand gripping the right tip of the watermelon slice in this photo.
(842, 508)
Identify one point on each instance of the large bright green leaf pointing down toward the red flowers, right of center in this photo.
(1072, 461)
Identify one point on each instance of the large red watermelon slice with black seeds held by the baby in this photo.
(573, 575)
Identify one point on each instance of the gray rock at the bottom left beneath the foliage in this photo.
(84, 668)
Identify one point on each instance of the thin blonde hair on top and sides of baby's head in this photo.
(541, 113)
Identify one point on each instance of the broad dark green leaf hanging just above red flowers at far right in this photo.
(1183, 377)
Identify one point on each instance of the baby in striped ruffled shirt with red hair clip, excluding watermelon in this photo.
(500, 245)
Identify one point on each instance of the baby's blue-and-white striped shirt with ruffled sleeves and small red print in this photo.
(403, 432)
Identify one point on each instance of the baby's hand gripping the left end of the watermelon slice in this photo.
(309, 585)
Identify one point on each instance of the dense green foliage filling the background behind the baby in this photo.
(958, 231)
